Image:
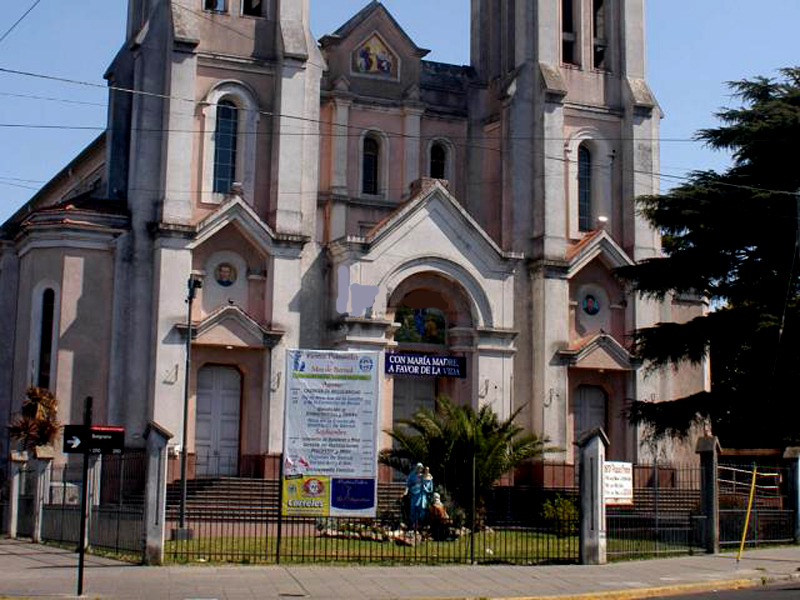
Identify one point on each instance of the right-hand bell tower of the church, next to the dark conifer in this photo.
(573, 129)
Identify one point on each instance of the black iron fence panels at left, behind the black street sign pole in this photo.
(116, 509)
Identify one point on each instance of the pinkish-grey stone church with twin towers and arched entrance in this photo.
(488, 203)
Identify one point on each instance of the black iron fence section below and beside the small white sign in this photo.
(665, 517)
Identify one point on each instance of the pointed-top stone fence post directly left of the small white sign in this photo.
(592, 447)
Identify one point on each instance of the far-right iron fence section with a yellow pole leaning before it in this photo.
(772, 518)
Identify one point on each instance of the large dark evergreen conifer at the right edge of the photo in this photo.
(732, 238)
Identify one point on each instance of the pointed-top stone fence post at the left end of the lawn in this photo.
(155, 492)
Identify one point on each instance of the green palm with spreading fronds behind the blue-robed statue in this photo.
(446, 439)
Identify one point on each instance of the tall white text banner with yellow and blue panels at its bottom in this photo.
(330, 452)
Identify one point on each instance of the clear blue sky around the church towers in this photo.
(694, 46)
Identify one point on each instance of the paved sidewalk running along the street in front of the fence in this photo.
(32, 570)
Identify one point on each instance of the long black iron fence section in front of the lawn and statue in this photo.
(238, 520)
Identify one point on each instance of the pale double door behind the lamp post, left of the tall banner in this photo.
(219, 393)
